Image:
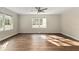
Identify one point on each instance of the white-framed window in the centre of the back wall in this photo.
(39, 23)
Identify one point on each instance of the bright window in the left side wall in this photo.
(6, 22)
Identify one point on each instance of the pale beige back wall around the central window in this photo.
(25, 24)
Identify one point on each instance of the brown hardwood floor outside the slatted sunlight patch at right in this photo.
(34, 42)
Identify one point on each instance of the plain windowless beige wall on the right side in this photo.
(70, 23)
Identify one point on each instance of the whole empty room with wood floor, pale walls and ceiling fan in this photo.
(39, 28)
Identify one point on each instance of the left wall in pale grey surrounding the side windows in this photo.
(6, 34)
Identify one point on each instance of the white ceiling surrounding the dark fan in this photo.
(32, 10)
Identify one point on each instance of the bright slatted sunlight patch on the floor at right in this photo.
(60, 41)
